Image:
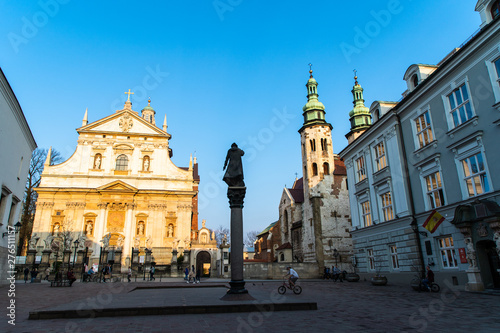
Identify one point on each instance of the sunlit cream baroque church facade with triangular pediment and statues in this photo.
(120, 189)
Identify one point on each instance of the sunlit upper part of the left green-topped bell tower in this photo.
(316, 139)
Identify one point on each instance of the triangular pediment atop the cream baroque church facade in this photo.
(123, 122)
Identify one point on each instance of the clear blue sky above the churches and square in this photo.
(222, 71)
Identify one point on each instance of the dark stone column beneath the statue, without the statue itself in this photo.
(236, 194)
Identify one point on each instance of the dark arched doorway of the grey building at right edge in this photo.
(489, 263)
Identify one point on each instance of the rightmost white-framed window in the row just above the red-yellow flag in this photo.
(475, 175)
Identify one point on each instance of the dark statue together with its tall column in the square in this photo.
(236, 193)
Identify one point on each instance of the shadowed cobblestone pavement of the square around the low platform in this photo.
(342, 307)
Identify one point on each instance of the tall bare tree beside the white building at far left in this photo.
(37, 162)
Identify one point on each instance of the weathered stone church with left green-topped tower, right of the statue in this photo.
(314, 217)
